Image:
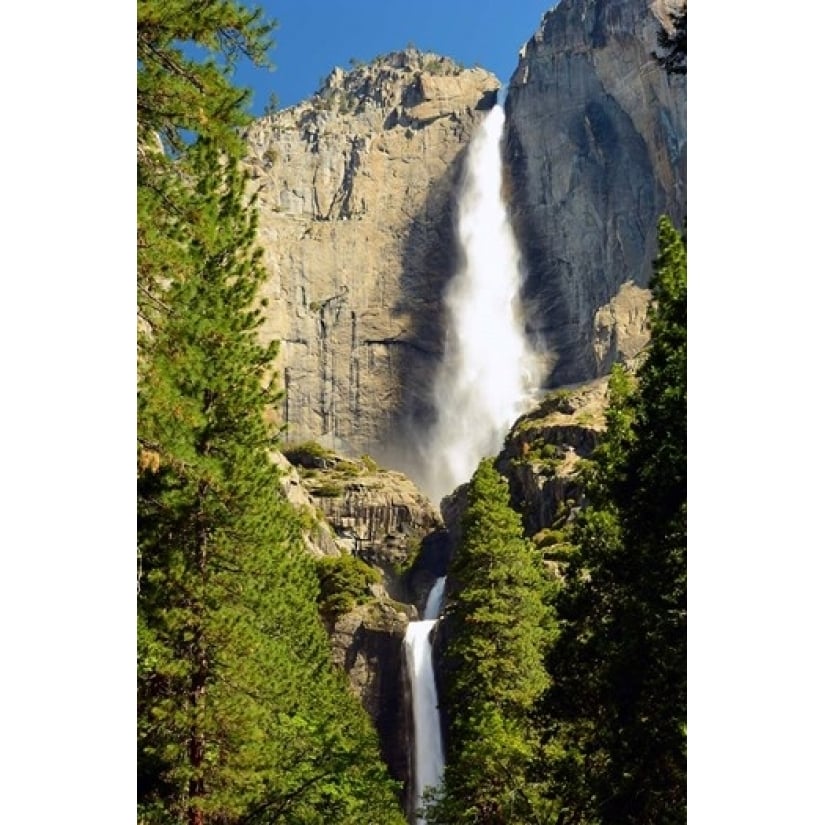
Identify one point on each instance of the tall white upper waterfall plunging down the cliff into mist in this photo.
(489, 370)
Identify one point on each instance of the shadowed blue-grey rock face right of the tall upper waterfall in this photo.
(597, 151)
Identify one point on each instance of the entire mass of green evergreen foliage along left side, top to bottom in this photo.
(241, 717)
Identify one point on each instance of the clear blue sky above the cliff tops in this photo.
(314, 36)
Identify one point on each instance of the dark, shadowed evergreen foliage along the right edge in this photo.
(615, 715)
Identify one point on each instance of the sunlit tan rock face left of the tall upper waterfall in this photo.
(355, 194)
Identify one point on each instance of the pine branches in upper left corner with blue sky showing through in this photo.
(181, 97)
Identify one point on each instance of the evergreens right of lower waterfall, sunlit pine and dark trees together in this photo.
(597, 735)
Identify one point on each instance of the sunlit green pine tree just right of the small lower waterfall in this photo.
(497, 628)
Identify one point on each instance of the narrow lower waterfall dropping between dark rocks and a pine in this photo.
(429, 754)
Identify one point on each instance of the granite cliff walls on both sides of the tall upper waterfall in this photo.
(357, 188)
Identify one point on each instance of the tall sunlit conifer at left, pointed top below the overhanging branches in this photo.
(241, 717)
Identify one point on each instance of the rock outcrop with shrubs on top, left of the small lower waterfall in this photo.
(355, 507)
